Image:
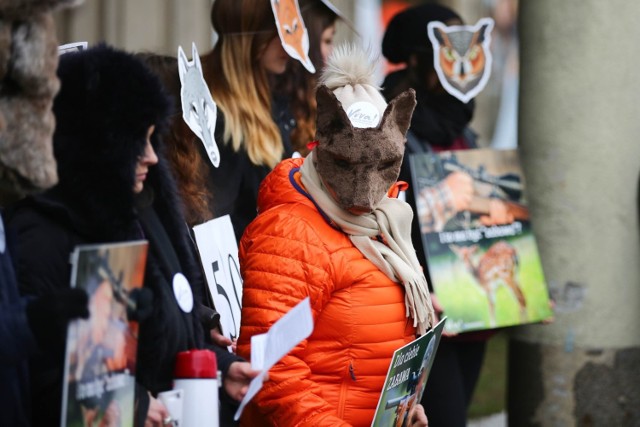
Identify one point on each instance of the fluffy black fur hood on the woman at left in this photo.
(107, 101)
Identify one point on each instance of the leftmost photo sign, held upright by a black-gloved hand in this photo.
(101, 351)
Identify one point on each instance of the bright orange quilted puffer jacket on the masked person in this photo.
(289, 252)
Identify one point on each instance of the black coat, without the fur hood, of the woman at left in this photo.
(47, 233)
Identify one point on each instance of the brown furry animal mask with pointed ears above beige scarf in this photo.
(359, 165)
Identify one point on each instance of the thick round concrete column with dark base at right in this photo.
(579, 135)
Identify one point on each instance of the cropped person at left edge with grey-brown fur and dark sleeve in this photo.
(29, 84)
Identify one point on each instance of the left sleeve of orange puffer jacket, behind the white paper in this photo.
(283, 261)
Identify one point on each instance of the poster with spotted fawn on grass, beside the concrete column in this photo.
(482, 257)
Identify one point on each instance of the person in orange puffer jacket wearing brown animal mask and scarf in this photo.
(328, 230)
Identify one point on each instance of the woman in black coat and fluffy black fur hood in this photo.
(114, 186)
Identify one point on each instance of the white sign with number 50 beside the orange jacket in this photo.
(219, 255)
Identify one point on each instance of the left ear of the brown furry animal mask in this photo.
(331, 119)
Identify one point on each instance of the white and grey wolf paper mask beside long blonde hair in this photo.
(199, 110)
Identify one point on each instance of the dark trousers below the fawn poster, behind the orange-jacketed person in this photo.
(451, 382)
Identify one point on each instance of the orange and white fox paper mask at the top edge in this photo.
(292, 31)
